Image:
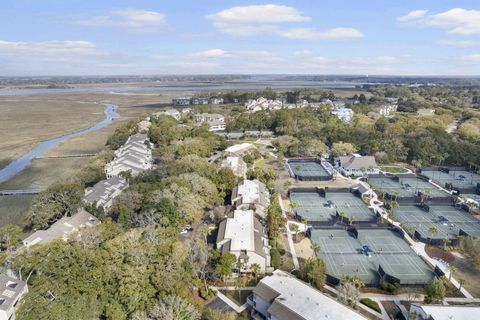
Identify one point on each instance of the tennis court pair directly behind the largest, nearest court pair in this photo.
(312, 207)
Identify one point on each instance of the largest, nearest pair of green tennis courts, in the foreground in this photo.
(343, 255)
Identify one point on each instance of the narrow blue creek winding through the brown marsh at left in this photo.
(40, 149)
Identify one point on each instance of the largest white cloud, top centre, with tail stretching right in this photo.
(245, 21)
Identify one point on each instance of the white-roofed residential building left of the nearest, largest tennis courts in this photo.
(244, 236)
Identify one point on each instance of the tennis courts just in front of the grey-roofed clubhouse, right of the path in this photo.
(406, 187)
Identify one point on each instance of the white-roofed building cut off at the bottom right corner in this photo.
(445, 312)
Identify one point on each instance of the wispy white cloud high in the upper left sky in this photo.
(132, 19)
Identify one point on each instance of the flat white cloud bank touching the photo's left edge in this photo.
(49, 50)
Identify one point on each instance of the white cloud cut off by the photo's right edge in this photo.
(457, 21)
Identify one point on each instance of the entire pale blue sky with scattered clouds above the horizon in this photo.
(107, 37)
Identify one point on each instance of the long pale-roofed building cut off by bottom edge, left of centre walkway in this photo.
(281, 296)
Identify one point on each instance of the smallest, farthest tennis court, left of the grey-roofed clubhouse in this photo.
(310, 170)
